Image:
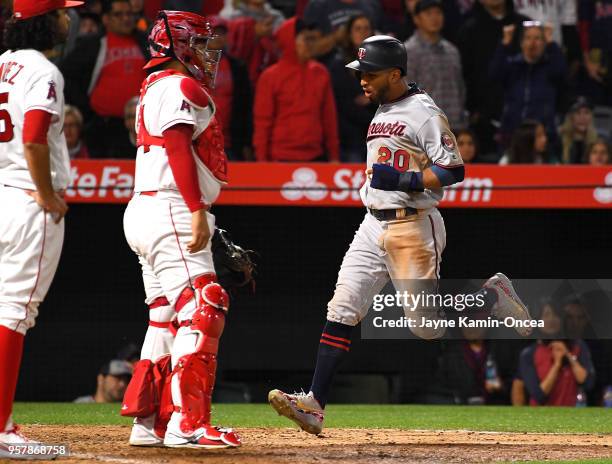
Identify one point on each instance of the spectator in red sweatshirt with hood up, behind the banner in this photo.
(294, 111)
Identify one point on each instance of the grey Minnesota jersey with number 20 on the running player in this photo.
(410, 134)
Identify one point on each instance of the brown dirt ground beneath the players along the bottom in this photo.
(345, 446)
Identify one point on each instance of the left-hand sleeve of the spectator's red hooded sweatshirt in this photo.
(263, 116)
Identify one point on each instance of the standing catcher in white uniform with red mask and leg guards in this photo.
(180, 168)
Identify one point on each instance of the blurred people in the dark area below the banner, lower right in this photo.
(570, 363)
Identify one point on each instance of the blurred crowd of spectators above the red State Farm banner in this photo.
(521, 81)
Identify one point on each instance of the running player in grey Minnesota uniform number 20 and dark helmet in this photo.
(412, 156)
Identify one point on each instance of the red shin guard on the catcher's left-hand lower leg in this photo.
(143, 395)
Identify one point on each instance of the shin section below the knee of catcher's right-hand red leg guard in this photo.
(193, 380)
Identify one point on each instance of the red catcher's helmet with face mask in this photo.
(184, 36)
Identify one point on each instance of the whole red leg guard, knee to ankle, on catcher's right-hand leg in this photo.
(201, 315)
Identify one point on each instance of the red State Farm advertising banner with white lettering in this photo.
(285, 184)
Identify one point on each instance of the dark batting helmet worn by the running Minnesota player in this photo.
(380, 52)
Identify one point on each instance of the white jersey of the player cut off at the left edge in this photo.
(29, 81)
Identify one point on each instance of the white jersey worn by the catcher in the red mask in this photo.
(164, 106)
